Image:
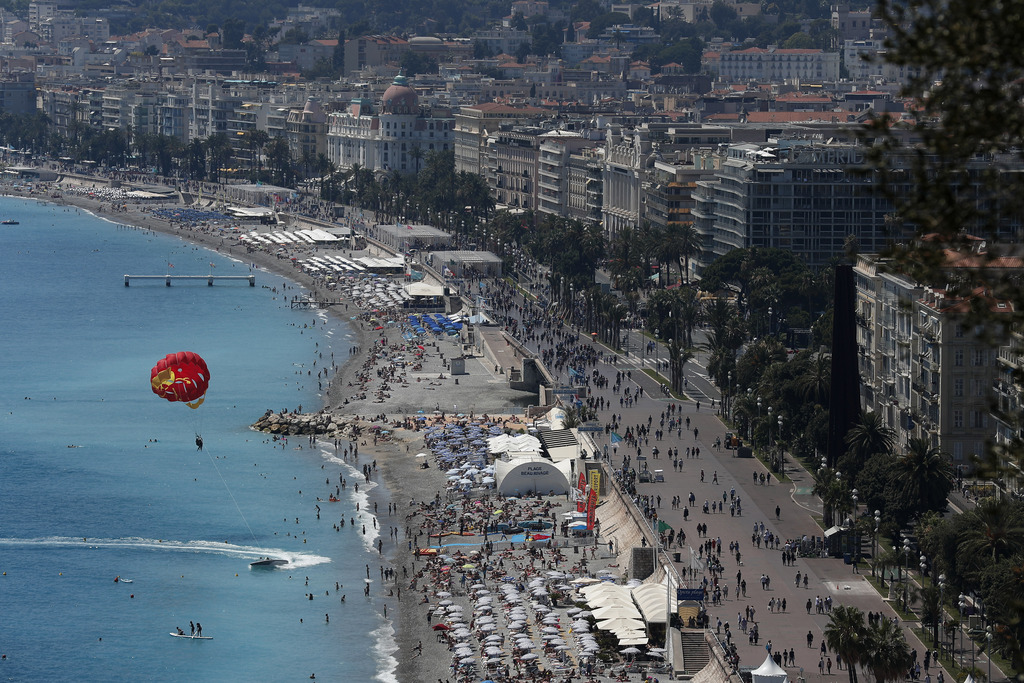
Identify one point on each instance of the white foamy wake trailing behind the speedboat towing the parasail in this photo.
(228, 549)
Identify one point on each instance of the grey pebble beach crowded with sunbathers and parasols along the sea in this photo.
(418, 583)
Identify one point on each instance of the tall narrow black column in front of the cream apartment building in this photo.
(844, 400)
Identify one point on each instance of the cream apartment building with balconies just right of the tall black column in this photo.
(924, 368)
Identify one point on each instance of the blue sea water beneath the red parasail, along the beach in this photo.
(136, 499)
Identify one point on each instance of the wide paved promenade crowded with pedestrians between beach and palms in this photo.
(827, 578)
